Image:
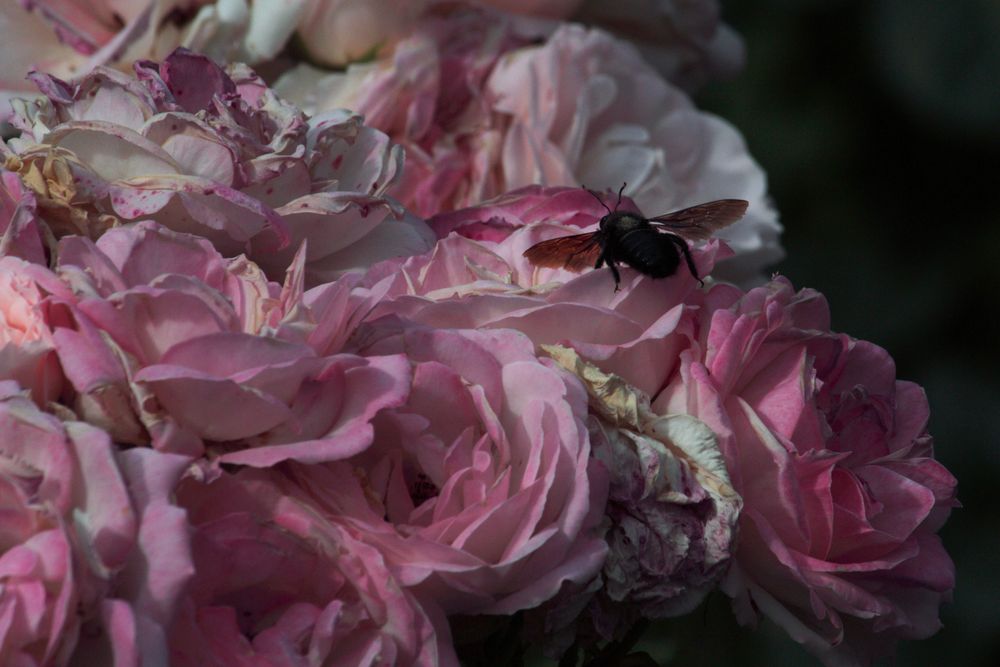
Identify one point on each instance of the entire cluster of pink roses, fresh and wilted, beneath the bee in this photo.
(283, 389)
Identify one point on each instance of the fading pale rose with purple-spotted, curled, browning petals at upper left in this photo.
(215, 153)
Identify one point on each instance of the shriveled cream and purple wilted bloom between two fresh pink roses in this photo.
(672, 508)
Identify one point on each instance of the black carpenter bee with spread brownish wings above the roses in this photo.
(653, 246)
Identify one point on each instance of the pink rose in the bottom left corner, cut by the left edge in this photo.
(68, 524)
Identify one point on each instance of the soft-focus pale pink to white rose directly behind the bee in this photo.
(610, 119)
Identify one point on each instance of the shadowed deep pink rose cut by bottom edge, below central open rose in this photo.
(276, 583)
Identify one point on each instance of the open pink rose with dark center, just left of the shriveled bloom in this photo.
(479, 490)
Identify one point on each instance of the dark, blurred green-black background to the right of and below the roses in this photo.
(878, 123)
